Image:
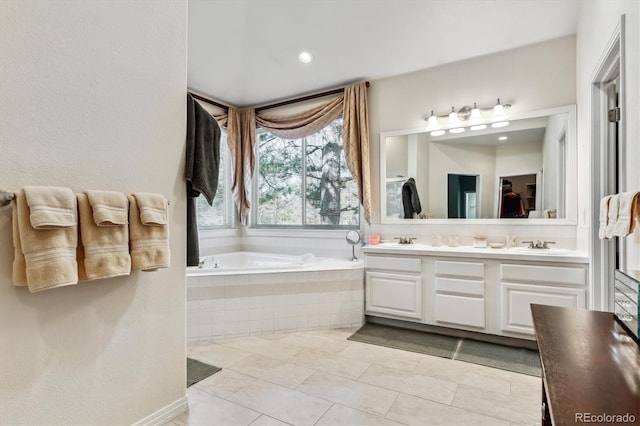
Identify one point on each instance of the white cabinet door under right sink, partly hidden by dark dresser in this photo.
(516, 298)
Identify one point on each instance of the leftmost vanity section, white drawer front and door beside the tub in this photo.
(394, 287)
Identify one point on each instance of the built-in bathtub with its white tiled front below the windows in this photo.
(250, 293)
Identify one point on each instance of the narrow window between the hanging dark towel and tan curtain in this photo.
(219, 214)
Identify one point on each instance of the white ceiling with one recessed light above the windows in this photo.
(245, 52)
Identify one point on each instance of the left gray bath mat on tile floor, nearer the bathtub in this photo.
(408, 340)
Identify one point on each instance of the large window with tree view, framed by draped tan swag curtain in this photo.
(304, 182)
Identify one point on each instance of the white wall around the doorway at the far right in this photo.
(597, 22)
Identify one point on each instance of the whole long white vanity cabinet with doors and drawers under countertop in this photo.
(477, 290)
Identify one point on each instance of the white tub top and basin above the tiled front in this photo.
(245, 262)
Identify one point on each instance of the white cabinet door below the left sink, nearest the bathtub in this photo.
(394, 295)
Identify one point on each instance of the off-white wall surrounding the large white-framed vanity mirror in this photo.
(532, 78)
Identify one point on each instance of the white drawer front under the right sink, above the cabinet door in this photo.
(543, 274)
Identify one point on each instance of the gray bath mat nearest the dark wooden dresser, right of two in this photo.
(519, 360)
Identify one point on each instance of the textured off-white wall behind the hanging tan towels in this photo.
(92, 96)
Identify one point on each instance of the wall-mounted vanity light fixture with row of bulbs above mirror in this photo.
(475, 118)
